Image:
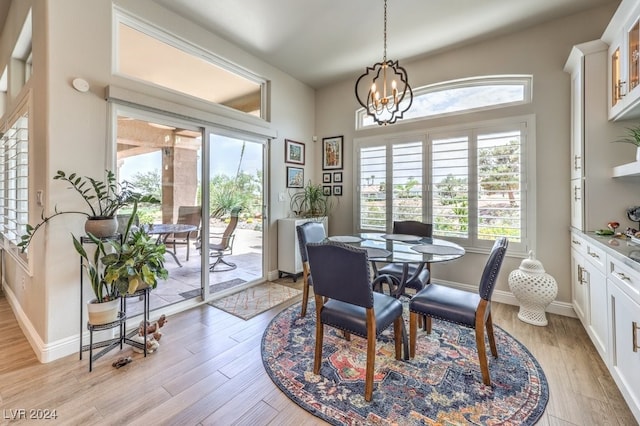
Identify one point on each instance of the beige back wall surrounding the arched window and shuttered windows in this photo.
(541, 51)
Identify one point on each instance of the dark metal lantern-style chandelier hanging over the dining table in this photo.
(383, 90)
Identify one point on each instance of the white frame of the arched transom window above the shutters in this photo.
(526, 81)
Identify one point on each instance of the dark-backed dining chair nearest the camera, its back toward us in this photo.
(341, 276)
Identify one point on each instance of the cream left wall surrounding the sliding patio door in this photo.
(72, 38)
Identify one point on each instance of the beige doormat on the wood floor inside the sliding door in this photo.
(252, 301)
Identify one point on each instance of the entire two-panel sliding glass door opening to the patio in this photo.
(211, 202)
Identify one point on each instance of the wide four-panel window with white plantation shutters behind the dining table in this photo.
(474, 179)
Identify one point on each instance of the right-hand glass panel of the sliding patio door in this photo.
(236, 206)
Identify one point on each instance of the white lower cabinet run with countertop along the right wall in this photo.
(606, 298)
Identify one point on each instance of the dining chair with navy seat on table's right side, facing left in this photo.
(469, 309)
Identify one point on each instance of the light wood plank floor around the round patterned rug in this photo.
(208, 370)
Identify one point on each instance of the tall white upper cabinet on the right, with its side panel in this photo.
(593, 157)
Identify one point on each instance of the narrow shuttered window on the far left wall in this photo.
(14, 176)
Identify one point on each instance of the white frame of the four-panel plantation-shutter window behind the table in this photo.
(527, 178)
